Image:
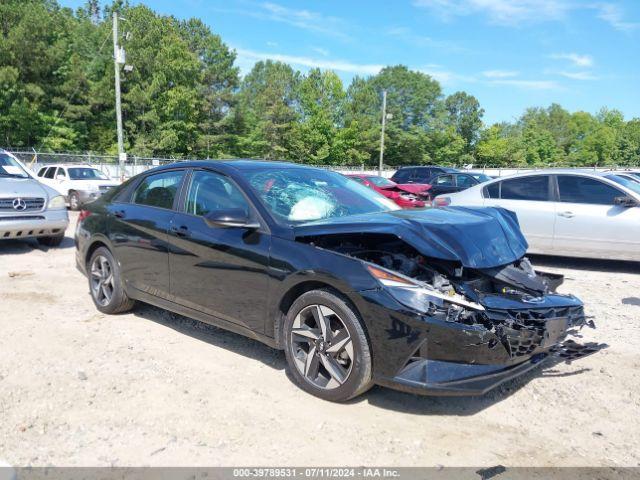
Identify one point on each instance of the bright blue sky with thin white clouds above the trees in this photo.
(510, 54)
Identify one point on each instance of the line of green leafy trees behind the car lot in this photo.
(186, 98)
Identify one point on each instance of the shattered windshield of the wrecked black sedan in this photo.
(298, 195)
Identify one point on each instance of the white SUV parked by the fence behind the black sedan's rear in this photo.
(79, 184)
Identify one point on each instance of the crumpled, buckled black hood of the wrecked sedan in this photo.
(476, 237)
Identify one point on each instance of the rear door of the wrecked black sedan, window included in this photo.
(139, 231)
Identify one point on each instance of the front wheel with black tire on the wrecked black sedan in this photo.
(358, 377)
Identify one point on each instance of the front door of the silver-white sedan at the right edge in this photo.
(589, 222)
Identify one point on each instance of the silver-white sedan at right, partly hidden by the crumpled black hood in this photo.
(566, 212)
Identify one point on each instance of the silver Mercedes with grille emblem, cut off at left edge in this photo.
(29, 209)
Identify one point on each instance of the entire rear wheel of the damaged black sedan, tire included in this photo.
(105, 284)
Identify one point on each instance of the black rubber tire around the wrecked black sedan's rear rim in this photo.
(118, 302)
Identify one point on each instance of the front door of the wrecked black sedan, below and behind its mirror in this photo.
(221, 271)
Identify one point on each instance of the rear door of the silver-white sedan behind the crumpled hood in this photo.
(531, 198)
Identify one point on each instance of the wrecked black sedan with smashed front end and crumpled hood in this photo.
(356, 291)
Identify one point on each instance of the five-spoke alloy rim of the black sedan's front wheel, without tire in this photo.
(321, 347)
